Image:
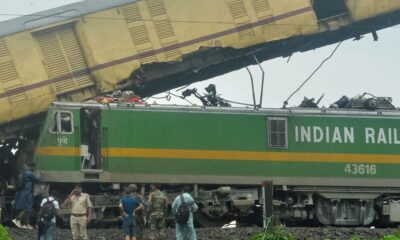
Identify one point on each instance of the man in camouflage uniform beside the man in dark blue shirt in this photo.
(157, 207)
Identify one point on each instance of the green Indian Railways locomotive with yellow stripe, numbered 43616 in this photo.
(333, 166)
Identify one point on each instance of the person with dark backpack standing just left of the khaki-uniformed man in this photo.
(47, 217)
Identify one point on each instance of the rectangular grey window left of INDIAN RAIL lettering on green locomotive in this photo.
(277, 132)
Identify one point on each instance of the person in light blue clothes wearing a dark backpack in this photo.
(183, 207)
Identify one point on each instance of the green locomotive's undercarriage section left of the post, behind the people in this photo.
(217, 206)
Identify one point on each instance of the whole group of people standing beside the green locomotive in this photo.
(135, 211)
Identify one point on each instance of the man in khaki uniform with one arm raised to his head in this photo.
(81, 212)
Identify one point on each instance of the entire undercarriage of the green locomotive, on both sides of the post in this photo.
(220, 205)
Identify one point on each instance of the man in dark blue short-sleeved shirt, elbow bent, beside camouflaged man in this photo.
(128, 206)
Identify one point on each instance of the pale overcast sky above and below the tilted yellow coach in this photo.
(357, 67)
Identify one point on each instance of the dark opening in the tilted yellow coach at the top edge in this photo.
(325, 9)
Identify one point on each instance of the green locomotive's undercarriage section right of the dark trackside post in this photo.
(338, 206)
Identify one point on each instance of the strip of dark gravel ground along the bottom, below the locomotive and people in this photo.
(244, 233)
